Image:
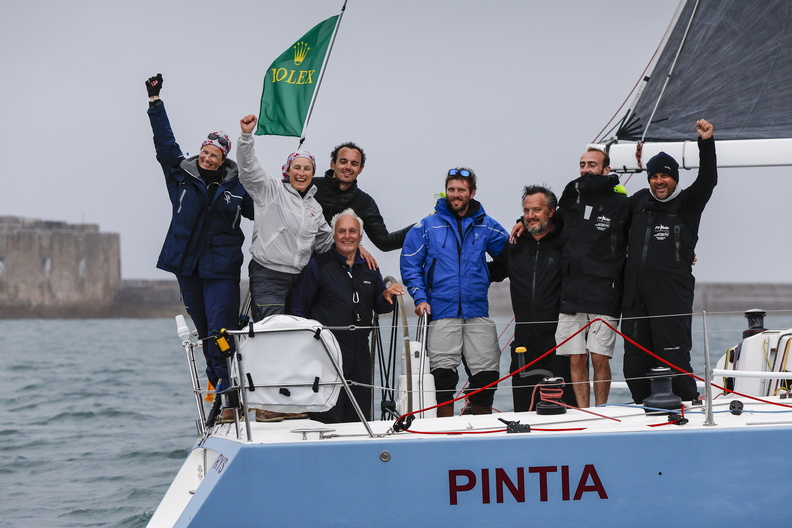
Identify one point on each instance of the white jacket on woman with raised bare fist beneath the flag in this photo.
(287, 227)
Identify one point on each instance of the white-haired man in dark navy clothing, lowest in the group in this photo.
(338, 289)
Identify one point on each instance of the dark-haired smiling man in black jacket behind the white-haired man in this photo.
(338, 190)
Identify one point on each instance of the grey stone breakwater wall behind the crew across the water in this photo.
(51, 269)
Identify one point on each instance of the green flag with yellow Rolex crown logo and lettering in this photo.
(291, 81)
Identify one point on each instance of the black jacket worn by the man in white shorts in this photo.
(596, 215)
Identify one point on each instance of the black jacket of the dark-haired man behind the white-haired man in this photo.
(333, 200)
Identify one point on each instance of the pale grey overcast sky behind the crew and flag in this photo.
(514, 89)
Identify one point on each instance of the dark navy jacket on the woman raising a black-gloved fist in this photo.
(204, 238)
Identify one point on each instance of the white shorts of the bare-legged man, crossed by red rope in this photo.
(597, 338)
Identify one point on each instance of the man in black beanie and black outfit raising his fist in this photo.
(658, 275)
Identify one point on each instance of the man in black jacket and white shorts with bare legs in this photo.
(595, 210)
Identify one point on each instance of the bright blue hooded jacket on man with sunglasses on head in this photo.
(444, 261)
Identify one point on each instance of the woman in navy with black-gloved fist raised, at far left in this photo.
(203, 247)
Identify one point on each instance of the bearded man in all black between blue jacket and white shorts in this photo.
(533, 266)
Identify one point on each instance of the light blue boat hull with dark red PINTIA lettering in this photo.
(651, 477)
